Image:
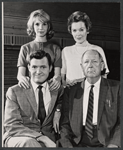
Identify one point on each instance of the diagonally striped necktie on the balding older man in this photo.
(89, 119)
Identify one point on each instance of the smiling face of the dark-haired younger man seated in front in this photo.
(39, 70)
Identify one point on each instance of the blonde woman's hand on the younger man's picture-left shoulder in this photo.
(24, 82)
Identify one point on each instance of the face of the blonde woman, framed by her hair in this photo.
(40, 27)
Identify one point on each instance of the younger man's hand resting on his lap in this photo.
(47, 141)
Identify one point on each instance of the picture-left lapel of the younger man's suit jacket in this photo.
(31, 98)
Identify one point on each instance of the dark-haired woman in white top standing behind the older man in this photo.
(79, 26)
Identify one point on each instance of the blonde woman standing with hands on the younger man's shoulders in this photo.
(39, 27)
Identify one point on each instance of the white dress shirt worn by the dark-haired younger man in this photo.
(46, 94)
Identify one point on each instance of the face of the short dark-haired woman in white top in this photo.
(79, 32)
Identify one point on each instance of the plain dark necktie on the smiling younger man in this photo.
(41, 110)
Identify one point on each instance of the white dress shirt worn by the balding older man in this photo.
(96, 90)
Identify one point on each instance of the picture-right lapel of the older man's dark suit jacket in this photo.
(102, 98)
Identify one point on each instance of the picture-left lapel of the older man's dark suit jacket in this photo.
(76, 107)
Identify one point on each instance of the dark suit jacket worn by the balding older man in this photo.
(108, 123)
